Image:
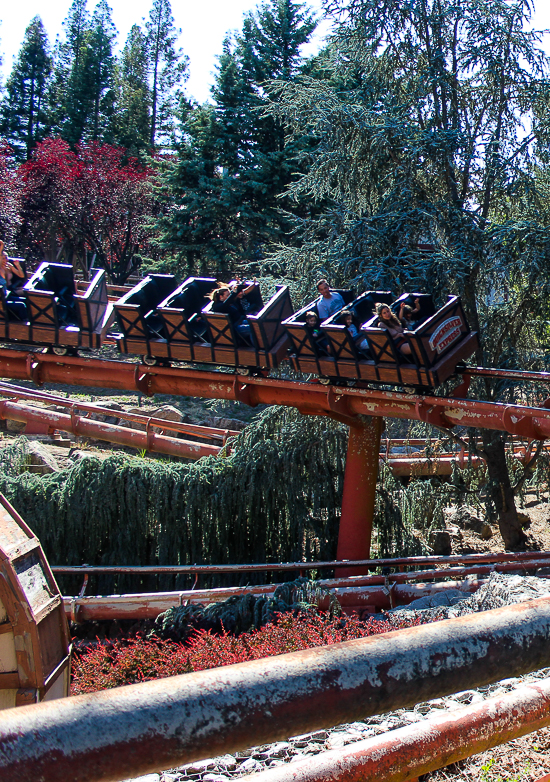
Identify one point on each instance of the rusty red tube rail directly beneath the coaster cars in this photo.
(308, 397)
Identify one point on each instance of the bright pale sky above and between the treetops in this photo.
(204, 25)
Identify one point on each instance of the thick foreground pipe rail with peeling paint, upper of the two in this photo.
(133, 730)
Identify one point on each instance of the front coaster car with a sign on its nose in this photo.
(439, 342)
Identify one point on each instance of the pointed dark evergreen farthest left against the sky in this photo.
(24, 110)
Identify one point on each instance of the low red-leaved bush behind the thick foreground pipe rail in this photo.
(112, 664)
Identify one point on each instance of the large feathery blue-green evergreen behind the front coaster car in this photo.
(426, 142)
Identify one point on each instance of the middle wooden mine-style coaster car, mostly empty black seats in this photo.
(182, 327)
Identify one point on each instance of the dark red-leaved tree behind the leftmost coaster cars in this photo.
(88, 206)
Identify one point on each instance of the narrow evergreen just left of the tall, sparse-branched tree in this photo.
(133, 101)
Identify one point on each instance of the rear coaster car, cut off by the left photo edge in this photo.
(50, 311)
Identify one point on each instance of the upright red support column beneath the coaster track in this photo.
(359, 492)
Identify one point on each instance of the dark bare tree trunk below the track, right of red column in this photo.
(501, 492)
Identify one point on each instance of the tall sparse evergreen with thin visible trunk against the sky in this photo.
(168, 71)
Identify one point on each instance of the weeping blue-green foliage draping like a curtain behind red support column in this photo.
(275, 498)
